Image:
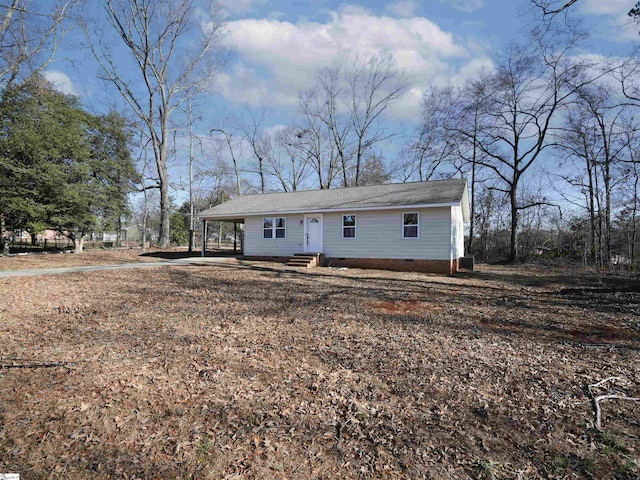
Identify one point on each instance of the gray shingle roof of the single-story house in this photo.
(439, 192)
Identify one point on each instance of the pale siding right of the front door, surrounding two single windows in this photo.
(379, 235)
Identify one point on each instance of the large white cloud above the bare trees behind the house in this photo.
(278, 59)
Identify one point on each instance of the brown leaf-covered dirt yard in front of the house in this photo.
(255, 370)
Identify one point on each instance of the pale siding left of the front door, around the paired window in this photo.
(254, 244)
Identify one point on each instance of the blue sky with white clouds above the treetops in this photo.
(278, 47)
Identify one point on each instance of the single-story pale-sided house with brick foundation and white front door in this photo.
(408, 226)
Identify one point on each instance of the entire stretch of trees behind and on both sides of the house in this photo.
(547, 138)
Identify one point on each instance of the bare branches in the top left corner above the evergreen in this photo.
(30, 36)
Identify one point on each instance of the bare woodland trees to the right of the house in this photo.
(549, 141)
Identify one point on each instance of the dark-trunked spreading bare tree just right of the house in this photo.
(522, 98)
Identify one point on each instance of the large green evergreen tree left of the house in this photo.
(60, 167)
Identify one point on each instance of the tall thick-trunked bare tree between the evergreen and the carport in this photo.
(174, 50)
